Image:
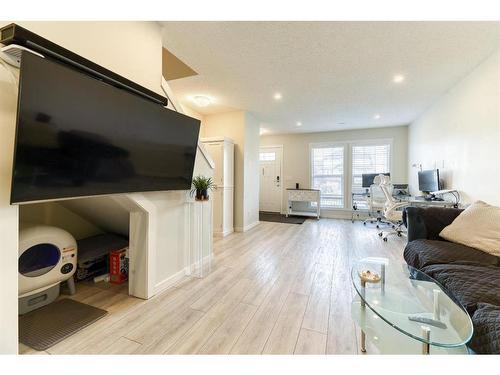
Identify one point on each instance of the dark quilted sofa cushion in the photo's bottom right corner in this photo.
(486, 338)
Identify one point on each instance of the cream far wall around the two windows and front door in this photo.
(296, 158)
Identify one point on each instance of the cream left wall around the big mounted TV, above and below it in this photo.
(132, 49)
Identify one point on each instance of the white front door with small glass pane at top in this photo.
(270, 179)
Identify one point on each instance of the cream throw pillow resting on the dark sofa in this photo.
(478, 226)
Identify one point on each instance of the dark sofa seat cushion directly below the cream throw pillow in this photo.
(422, 253)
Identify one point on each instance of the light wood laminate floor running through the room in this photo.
(276, 289)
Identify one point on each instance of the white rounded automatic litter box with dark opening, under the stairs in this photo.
(47, 257)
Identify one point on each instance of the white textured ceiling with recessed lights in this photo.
(332, 75)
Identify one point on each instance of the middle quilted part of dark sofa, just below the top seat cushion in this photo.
(470, 284)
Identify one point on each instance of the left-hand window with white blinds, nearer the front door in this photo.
(327, 174)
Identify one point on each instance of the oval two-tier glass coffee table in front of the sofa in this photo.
(403, 311)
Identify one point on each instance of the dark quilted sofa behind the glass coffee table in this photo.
(470, 275)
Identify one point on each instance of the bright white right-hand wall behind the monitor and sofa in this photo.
(460, 135)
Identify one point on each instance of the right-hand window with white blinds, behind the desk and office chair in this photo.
(368, 158)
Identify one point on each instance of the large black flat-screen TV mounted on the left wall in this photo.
(77, 136)
